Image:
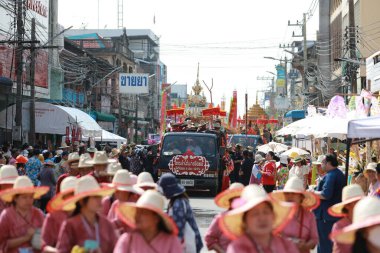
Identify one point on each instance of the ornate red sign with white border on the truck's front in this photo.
(189, 164)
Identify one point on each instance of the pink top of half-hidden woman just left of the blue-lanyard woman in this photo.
(51, 227)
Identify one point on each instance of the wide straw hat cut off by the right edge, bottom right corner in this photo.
(366, 214)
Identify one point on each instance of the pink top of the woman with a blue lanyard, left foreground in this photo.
(75, 231)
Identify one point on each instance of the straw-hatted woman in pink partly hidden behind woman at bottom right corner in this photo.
(350, 196)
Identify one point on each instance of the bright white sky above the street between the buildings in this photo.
(229, 39)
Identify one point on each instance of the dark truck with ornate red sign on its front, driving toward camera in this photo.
(195, 158)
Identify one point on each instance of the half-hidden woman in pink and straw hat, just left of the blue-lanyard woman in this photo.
(56, 216)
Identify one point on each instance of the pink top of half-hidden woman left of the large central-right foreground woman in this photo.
(215, 235)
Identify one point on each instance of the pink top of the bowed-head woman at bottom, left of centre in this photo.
(134, 242)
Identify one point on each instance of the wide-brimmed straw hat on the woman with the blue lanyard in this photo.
(87, 186)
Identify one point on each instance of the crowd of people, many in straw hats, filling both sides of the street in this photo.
(84, 200)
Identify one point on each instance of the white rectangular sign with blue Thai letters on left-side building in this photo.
(133, 83)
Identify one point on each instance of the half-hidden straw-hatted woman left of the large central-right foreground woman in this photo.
(215, 239)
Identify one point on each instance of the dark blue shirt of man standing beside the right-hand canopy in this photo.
(331, 187)
